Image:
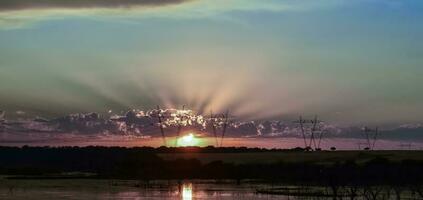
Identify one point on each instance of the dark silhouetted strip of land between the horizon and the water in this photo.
(402, 168)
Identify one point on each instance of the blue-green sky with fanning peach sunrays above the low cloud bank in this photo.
(352, 63)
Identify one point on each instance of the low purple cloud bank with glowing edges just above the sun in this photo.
(137, 123)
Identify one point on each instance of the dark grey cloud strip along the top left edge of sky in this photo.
(10, 5)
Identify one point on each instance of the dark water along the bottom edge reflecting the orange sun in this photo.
(175, 190)
